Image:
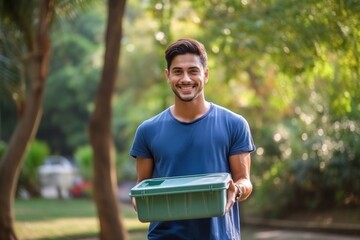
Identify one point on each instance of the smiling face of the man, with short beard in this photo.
(187, 77)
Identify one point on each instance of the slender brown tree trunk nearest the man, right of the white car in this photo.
(105, 182)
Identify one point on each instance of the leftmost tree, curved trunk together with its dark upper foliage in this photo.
(24, 64)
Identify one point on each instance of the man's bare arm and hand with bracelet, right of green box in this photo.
(240, 172)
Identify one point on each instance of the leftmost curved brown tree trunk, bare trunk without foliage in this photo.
(36, 70)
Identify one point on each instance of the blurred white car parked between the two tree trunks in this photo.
(57, 175)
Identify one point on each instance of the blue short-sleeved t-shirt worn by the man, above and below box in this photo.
(199, 147)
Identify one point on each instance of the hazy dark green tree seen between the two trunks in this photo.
(73, 77)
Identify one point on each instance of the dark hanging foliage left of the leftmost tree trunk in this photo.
(12, 47)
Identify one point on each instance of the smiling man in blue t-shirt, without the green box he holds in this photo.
(194, 136)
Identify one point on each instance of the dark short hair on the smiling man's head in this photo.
(184, 46)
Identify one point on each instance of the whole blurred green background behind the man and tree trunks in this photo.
(291, 68)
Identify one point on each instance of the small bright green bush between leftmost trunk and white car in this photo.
(35, 156)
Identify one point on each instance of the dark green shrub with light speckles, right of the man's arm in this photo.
(318, 166)
